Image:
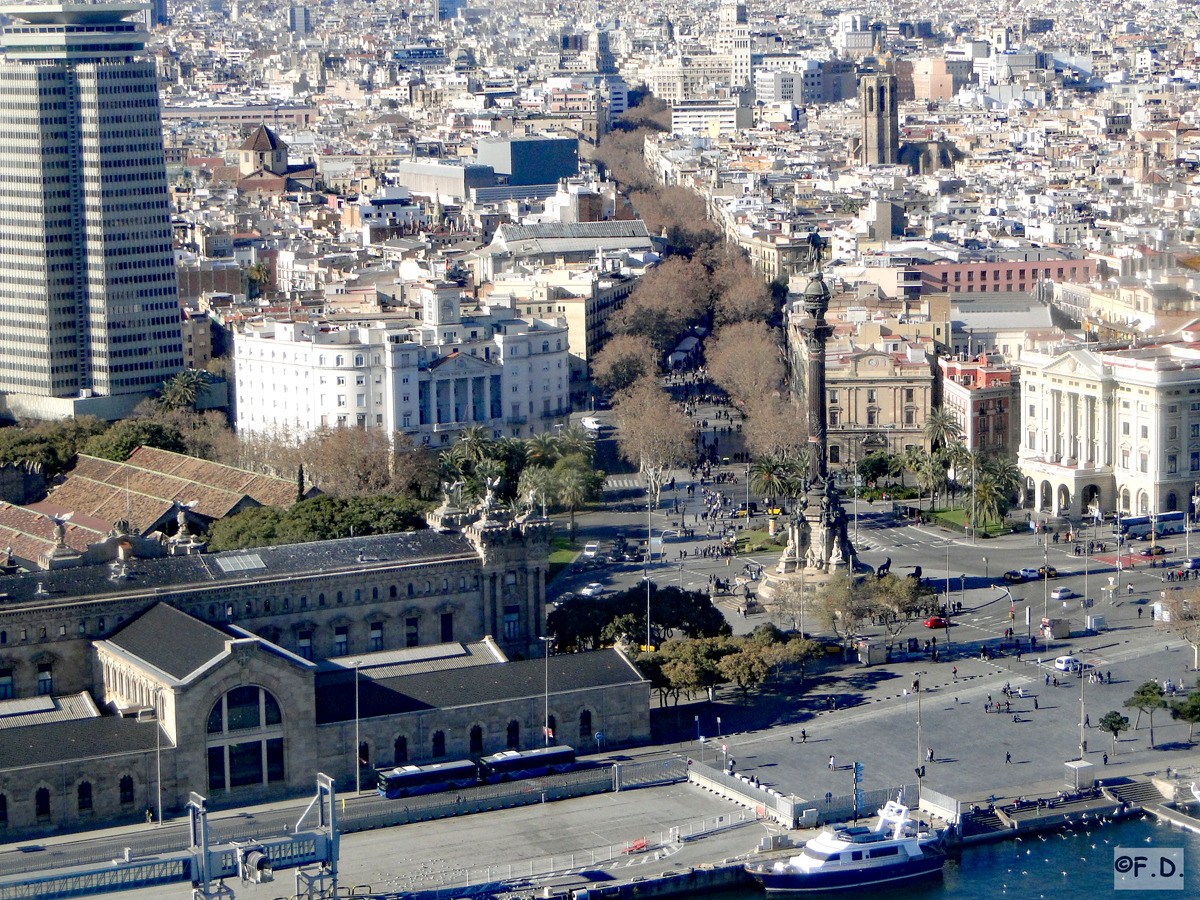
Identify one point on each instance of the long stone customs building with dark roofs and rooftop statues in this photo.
(239, 669)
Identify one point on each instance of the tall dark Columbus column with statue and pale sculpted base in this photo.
(818, 542)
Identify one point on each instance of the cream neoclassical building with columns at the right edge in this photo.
(1109, 430)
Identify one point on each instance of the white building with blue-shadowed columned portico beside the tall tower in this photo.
(427, 382)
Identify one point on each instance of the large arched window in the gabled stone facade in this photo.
(245, 740)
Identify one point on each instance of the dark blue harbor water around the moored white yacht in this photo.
(1053, 866)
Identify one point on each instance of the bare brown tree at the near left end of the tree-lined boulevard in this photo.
(655, 435)
